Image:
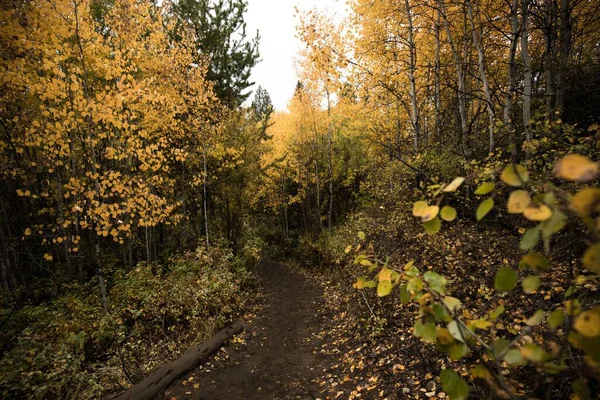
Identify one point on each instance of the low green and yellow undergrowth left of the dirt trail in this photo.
(69, 347)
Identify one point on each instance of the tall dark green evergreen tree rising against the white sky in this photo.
(220, 32)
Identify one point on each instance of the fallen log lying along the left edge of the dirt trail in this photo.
(165, 375)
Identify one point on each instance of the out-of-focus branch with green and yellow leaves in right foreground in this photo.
(441, 319)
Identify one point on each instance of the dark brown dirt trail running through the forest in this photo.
(280, 358)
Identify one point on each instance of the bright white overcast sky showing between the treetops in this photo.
(278, 46)
